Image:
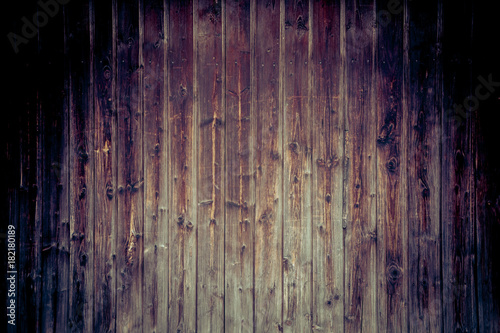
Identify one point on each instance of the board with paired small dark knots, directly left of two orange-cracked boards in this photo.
(182, 170)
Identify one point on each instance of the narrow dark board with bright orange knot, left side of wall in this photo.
(105, 168)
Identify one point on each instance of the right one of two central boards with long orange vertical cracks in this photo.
(239, 198)
